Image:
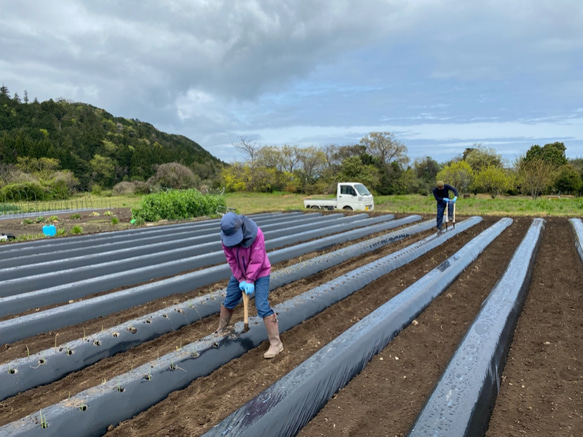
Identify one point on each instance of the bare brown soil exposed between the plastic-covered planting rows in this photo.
(541, 392)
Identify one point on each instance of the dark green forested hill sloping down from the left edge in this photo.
(92, 143)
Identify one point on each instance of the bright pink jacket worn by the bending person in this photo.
(249, 263)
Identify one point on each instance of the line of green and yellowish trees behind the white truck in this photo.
(380, 161)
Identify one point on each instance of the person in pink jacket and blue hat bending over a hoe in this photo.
(244, 247)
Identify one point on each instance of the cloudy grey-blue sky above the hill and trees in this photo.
(439, 74)
